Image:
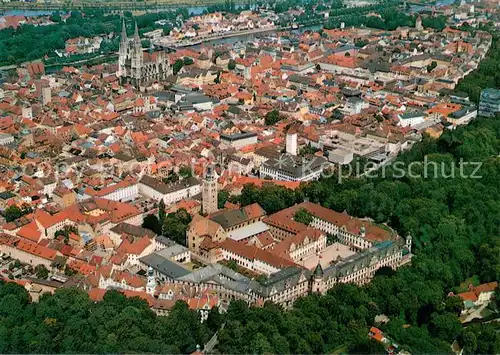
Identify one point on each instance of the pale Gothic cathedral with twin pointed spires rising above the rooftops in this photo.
(138, 67)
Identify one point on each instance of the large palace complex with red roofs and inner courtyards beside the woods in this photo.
(213, 239)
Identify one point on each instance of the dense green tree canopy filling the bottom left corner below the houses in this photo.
(69, 321)
